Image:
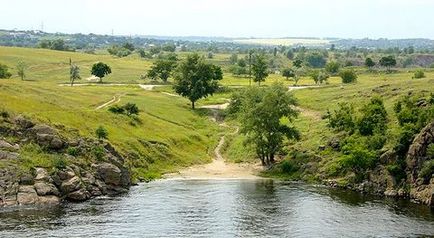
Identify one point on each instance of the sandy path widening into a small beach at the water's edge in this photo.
(219, 168)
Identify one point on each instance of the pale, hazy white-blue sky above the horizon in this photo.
(230, 18)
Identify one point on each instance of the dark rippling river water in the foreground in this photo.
(224, 208)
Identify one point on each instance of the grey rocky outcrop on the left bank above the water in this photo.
(50, 186)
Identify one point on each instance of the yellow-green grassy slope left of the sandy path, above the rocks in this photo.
(170, 135)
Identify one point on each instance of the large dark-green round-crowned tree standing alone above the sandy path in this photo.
(195, 79)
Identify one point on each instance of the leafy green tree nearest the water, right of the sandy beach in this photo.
(261, 112)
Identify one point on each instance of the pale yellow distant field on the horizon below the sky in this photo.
(284, 41)
